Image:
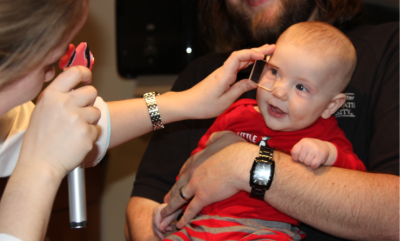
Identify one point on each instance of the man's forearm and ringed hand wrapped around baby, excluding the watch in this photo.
(349, 204)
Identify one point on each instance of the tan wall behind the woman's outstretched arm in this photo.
(99, 32)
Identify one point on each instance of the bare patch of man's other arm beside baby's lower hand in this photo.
(139, 217)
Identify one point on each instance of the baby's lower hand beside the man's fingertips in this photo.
(160, 225)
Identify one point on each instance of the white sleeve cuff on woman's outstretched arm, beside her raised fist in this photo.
(104, 127)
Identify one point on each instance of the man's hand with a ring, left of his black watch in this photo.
(211, 175)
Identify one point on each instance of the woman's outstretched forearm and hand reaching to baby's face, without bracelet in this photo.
(207, 99)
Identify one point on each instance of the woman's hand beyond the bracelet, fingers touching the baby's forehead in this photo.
(217, 92)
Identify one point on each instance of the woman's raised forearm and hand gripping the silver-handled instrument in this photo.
(60, 133)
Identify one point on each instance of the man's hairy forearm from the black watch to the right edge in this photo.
(345, 203)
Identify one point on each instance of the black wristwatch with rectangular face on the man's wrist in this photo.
(262, 173)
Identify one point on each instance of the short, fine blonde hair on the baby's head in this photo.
(325, 40)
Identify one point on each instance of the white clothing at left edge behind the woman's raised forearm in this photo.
(13, 125)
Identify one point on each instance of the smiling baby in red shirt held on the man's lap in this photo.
(300, 88)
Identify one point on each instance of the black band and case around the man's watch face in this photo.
(265, 157)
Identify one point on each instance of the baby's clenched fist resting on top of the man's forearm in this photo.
(314, 152)
